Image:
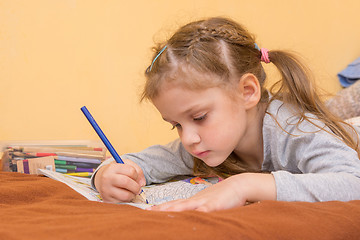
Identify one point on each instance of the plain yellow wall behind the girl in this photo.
(56, 56)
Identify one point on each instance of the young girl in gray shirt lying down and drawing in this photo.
(207, 81)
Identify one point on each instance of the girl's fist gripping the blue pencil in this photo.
(119, 182)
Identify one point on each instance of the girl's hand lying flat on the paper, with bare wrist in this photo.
(232, 192)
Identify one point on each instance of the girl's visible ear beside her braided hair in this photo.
(250, 90)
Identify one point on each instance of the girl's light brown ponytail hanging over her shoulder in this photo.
(296, 88)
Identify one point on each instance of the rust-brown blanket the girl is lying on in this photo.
(33, 207)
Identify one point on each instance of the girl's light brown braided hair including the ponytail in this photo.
(223, 48)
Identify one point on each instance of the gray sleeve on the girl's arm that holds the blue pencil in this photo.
(159, 162)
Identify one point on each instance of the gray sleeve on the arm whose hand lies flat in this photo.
(325, 169)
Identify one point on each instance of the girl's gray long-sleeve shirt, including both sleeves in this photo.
(308, 164)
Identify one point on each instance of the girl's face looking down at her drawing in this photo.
(211, 125)
